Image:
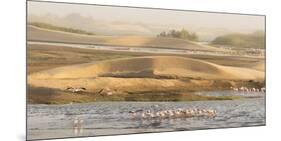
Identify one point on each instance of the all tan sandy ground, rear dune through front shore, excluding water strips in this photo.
(130, 75)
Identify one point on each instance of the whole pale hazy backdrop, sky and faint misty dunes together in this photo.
(139, 21)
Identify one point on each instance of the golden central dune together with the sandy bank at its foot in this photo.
(152, 73)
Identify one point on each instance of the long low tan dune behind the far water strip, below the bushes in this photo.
(40, 34)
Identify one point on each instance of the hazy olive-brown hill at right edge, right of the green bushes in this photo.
(253, 40)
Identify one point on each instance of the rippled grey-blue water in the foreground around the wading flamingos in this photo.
(109, 118)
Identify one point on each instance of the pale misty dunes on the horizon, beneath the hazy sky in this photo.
(75, 20)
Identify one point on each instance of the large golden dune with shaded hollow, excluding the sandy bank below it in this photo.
(151, 67)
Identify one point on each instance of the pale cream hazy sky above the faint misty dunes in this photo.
(151, 16)
